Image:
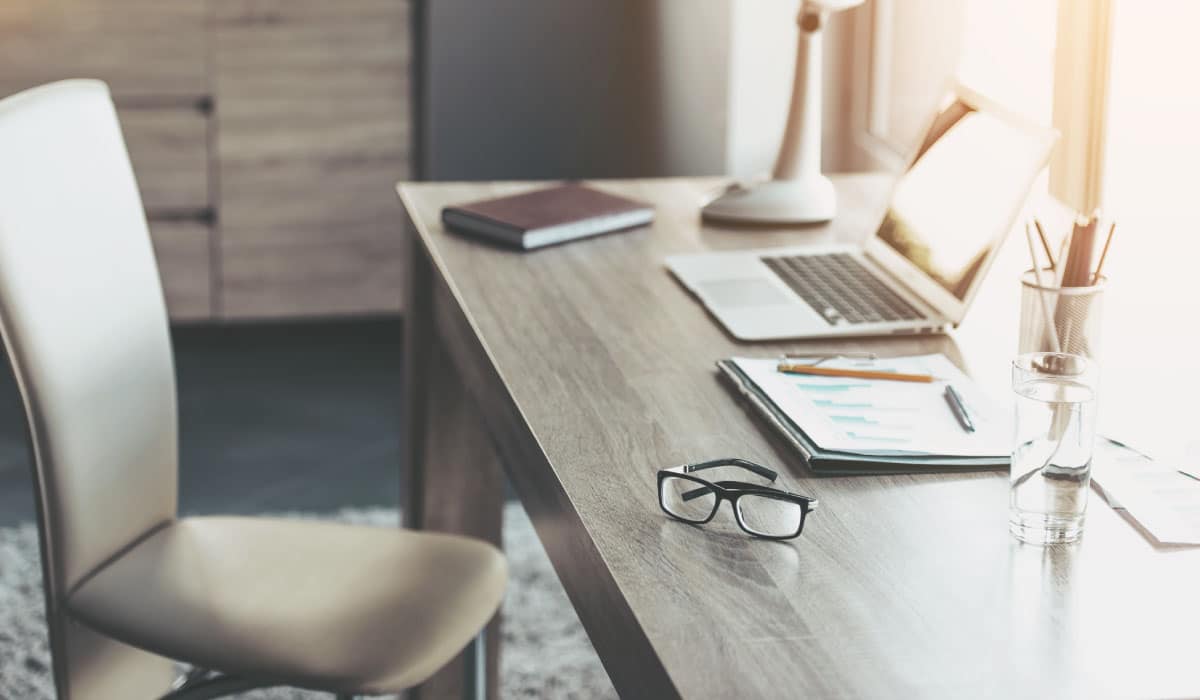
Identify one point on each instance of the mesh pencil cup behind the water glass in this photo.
(1064, 320)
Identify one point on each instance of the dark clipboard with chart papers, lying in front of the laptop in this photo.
(873, 427)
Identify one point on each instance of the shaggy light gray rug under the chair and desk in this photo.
(547, 653)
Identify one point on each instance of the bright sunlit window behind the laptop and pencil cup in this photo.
(1115, 77)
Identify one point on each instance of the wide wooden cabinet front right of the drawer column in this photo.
(313, 121)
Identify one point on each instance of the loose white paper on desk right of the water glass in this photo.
(1155, 494)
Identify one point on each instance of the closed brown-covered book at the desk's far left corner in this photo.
(548, 217)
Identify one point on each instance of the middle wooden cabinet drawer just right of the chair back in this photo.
(170, 149)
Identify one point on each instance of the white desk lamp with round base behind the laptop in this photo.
(797, 192)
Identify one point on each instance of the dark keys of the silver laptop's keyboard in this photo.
(842, 290)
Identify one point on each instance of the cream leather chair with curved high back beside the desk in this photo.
(248, 602)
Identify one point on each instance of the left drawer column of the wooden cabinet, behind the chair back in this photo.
(154, 57)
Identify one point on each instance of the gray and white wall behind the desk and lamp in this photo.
(542, 89)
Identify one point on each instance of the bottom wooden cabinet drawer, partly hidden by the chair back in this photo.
(184, 254)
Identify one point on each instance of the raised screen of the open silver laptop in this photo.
(959, 198)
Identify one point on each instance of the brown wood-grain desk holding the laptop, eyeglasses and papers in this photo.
(586, 368)
